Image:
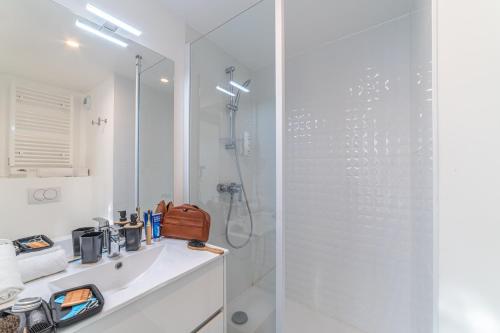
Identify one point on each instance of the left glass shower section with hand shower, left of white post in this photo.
(232, 157)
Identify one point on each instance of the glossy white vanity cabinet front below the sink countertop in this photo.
(192, 303)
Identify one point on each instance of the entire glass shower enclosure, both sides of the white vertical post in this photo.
(358, 165)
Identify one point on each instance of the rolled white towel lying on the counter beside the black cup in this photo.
(35, 265)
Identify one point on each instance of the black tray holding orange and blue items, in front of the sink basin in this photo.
(58, 313)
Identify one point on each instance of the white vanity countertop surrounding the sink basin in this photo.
(174, 262)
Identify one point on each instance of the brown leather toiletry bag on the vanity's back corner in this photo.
(184, 222)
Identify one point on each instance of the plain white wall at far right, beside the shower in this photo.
(468, 67)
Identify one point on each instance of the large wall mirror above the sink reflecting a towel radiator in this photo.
(67, 120)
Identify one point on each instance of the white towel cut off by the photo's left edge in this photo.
(10, 277)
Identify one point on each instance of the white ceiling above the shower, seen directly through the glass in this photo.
(308, 23)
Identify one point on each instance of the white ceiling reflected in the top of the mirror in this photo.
(32, 35)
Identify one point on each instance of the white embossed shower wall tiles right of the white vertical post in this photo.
(355, 200)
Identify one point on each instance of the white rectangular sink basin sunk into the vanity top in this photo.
(114, 275)
